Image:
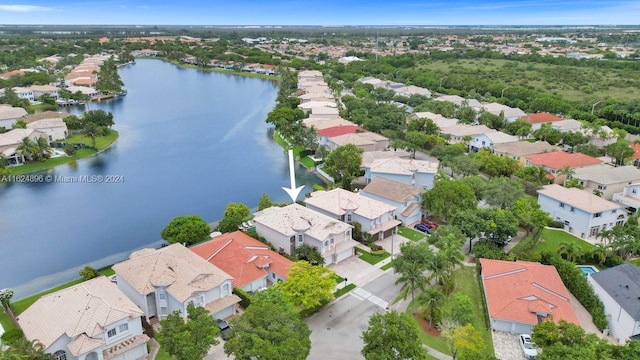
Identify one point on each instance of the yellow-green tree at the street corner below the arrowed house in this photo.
(308, 286)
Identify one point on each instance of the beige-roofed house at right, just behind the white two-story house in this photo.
(606, 179)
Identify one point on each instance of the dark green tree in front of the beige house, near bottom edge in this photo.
(190, 339)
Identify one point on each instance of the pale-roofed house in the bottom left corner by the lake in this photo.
(93, 320)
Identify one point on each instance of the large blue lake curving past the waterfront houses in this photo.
(190, 143)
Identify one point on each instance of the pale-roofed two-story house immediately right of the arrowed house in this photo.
(375, 217)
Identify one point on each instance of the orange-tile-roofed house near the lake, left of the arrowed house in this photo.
(252, 264)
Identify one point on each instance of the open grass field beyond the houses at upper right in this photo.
(570, 82)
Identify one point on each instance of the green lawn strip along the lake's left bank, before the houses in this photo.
(102, 142)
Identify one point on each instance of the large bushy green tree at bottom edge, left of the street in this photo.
(269, 329)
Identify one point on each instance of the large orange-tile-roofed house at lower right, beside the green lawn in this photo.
(522, 294)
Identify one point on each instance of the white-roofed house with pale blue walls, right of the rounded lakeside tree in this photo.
(418, 173)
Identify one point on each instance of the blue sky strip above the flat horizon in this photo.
(322, 12)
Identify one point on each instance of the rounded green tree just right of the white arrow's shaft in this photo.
(343, 164)
